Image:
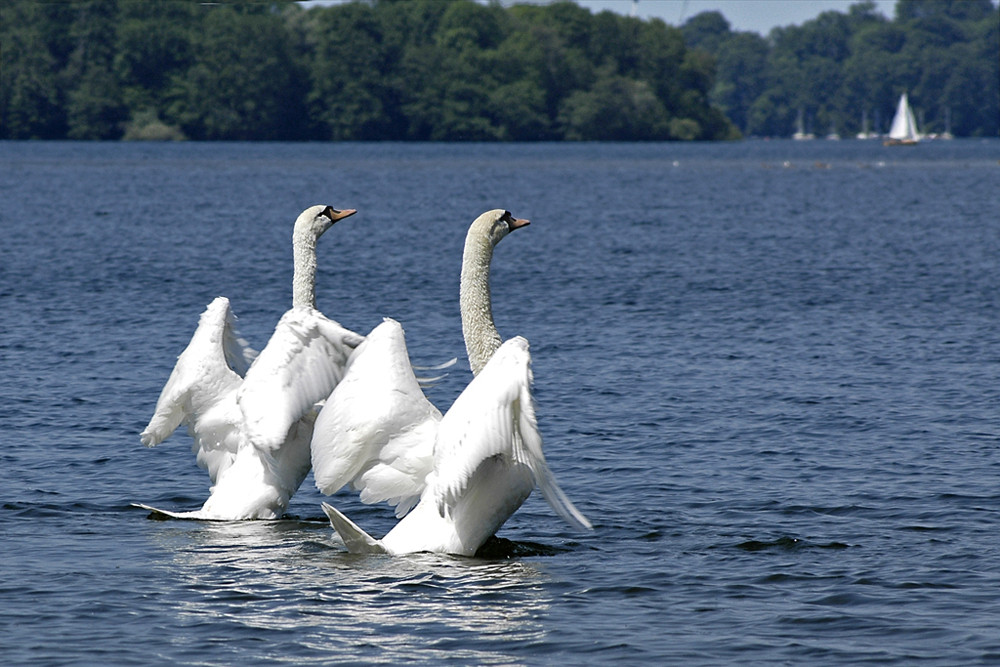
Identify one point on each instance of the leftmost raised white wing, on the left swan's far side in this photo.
(201, 390)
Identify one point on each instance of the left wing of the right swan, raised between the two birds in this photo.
(377, 428)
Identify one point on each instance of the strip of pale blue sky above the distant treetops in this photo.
(743, 15)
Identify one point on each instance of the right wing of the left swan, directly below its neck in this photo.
(301, 364)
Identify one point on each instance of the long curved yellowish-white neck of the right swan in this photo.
(481, 336)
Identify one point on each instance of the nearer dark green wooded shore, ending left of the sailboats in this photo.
(409, 70)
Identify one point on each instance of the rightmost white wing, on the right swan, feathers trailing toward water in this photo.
(495, 418)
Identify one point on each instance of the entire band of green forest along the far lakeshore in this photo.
(432, 70)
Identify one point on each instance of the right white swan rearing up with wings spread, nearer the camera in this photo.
(453, 479)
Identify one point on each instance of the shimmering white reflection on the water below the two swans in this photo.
(287, 582)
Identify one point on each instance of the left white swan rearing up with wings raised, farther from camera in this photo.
(251, 416)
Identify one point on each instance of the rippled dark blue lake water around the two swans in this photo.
(768, 372)
